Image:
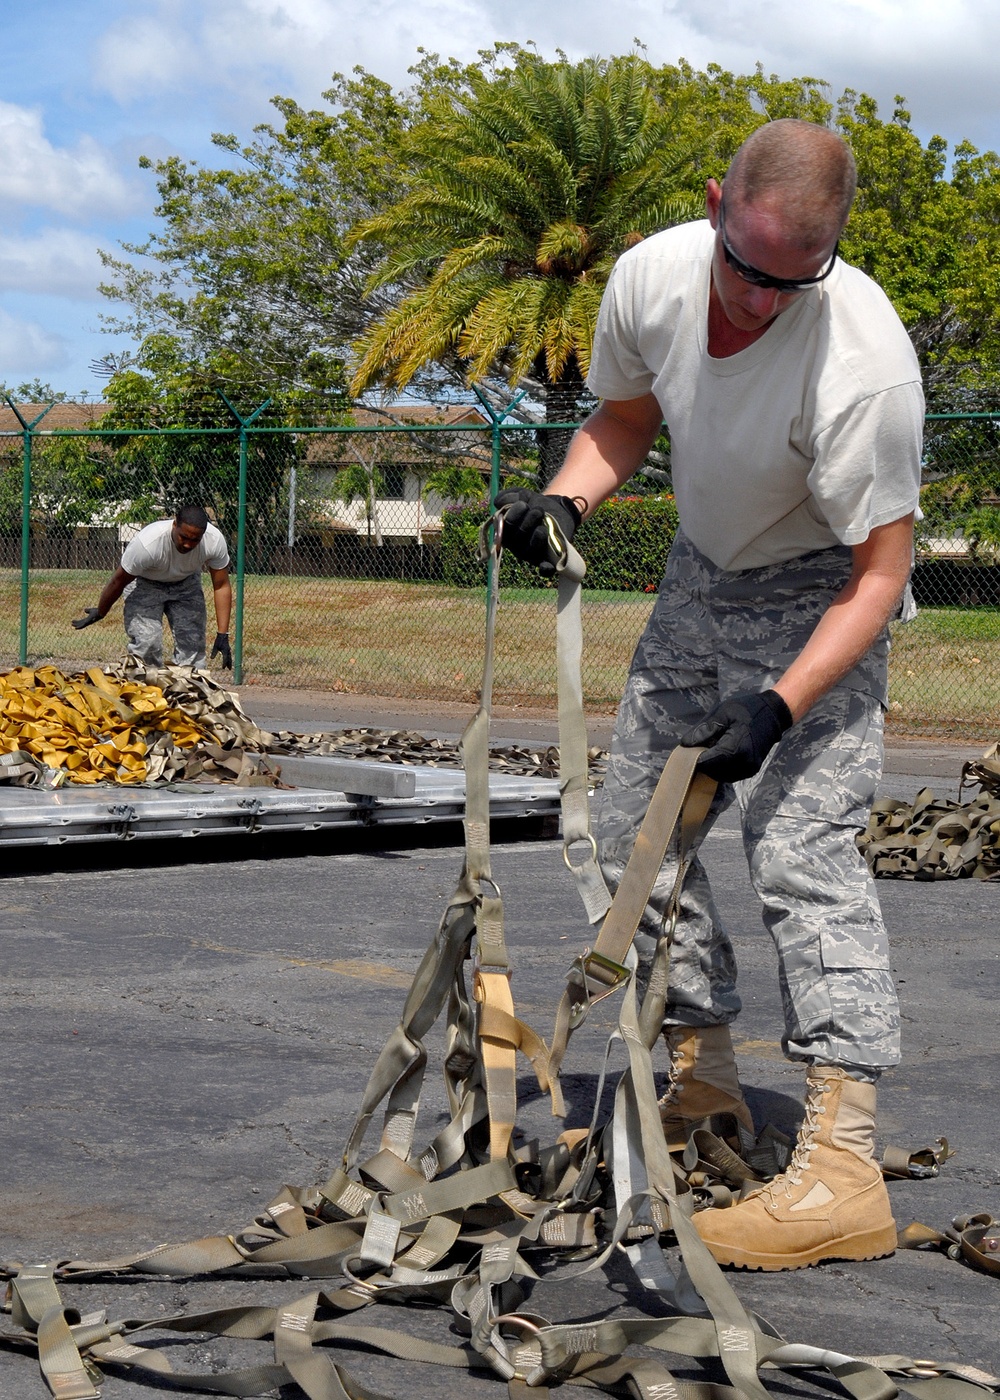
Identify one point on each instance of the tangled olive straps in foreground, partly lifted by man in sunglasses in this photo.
(466, 1220)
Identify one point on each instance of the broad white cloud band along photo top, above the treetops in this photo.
(230, 57)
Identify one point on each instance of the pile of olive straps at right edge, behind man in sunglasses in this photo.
(935, 838)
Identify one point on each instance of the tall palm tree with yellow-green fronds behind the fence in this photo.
(527, 185)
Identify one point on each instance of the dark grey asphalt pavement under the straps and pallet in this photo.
(190, 1025)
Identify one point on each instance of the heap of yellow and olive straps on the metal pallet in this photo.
(134, 726)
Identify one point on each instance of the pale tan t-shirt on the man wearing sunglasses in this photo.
(809, 437)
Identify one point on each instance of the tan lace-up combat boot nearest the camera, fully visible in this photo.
(830, 1203)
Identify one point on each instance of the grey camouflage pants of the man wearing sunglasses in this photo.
(711, 635)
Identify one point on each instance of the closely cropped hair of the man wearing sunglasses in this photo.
(803, 167)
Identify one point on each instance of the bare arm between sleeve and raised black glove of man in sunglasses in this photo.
(607, 451)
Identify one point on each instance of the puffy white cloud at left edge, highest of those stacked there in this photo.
(36, 173)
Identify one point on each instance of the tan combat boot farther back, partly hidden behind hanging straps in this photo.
(702, 1086)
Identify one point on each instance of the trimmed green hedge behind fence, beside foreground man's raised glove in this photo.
(625, 545)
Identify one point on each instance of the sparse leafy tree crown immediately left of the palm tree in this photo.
(250, 264)
